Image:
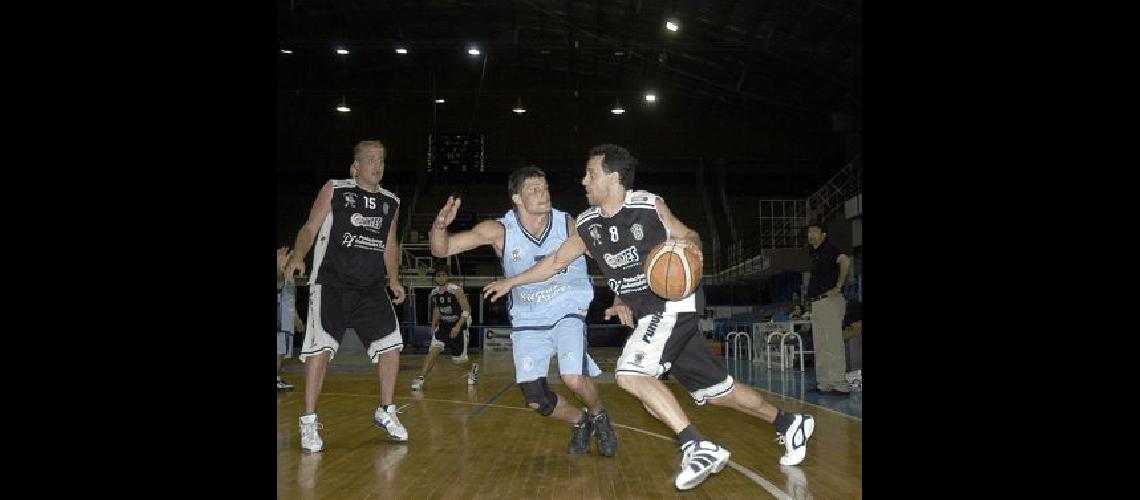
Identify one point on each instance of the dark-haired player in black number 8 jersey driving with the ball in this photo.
(618, 231)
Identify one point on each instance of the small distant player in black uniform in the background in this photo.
(451, 316)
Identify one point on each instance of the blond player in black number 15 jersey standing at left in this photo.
(355, 263)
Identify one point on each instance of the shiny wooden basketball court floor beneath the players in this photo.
(483, 442)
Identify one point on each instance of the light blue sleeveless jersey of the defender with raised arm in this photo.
(542, 305)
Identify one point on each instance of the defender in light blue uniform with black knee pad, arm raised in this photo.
(548, 317)
